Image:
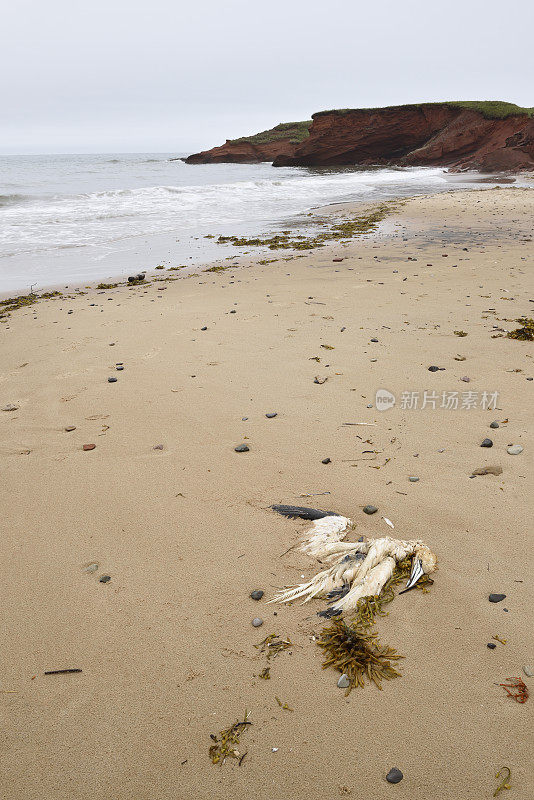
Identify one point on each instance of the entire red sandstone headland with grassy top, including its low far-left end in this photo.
(452, 135)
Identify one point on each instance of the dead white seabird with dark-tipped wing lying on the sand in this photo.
(358, 569)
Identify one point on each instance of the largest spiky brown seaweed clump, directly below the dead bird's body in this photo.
(356, 652)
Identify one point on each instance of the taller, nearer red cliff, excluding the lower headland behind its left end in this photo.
(424, 135)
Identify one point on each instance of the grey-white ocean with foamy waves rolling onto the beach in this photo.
(67, 219)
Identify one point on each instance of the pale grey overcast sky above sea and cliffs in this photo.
(171, 76)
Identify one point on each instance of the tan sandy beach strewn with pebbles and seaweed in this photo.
(166, 647)
